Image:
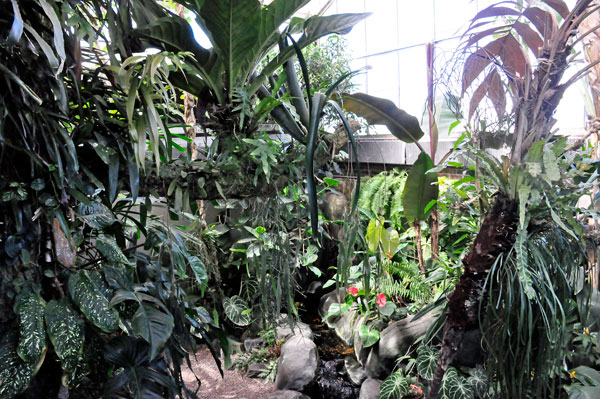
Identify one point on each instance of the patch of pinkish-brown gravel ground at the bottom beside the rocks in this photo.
(232, 386)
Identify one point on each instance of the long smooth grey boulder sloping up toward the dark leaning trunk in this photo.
(395, 341)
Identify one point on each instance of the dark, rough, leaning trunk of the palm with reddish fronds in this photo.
(497, 236)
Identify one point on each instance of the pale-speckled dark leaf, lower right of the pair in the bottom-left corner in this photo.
(66, 330)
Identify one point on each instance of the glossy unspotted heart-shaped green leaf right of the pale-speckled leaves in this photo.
(153, 325)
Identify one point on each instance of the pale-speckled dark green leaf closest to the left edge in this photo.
(32, 334)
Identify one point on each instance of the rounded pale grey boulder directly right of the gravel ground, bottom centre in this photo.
(297, 365)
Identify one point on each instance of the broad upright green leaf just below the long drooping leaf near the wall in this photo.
(419, 190)
